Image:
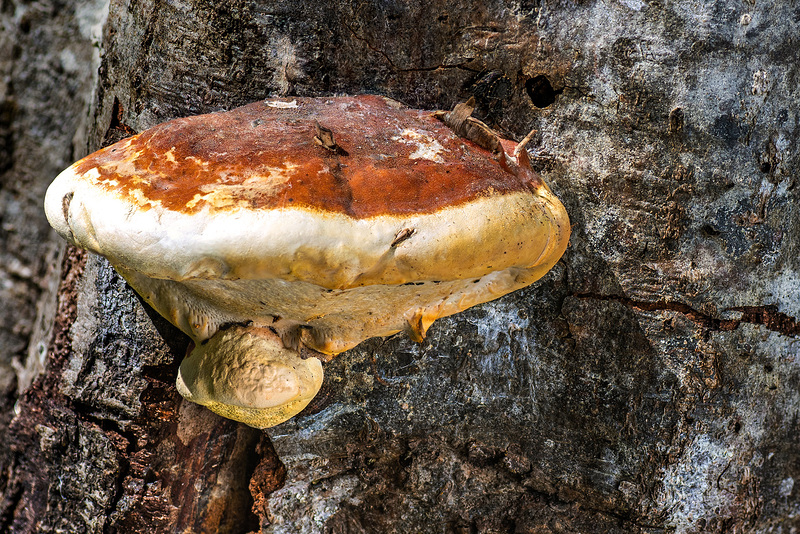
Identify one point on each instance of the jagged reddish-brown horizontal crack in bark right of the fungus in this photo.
(767, 315)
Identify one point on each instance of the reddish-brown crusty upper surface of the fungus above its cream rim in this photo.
(264, 156)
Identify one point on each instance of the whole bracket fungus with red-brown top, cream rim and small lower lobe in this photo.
(285, 232)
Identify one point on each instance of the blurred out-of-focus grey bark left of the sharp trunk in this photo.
(46, 63)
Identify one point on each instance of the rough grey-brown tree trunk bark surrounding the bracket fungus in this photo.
(649, 383)
